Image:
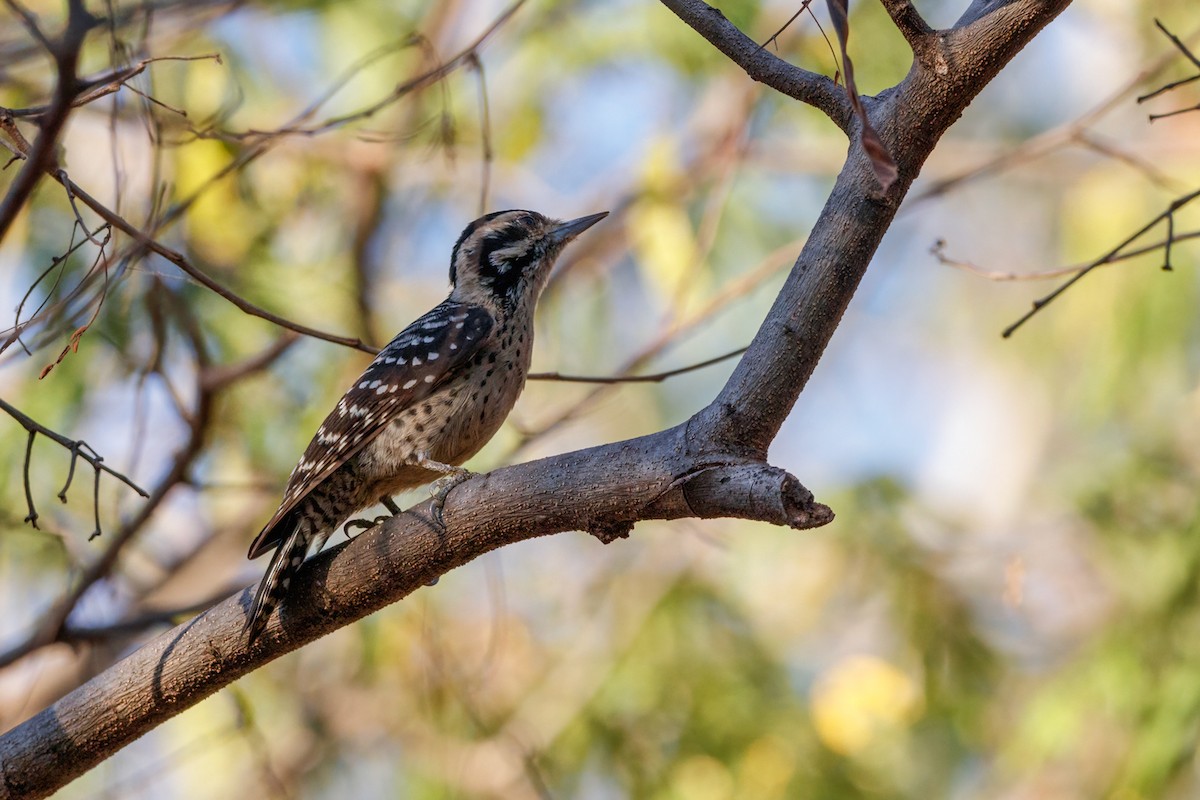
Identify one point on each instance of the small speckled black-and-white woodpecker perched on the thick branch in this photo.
(429, 401)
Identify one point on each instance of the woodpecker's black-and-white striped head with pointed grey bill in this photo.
(507, 256)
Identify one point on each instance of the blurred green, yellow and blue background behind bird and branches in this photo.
(1009, 603)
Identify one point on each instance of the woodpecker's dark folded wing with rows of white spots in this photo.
(421, 359)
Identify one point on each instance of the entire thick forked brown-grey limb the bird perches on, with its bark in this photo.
(712, 466)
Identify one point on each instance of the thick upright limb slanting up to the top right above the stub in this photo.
(910, 118)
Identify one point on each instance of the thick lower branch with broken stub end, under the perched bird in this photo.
(604, 490)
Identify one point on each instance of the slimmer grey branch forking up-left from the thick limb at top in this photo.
(763, 65)
